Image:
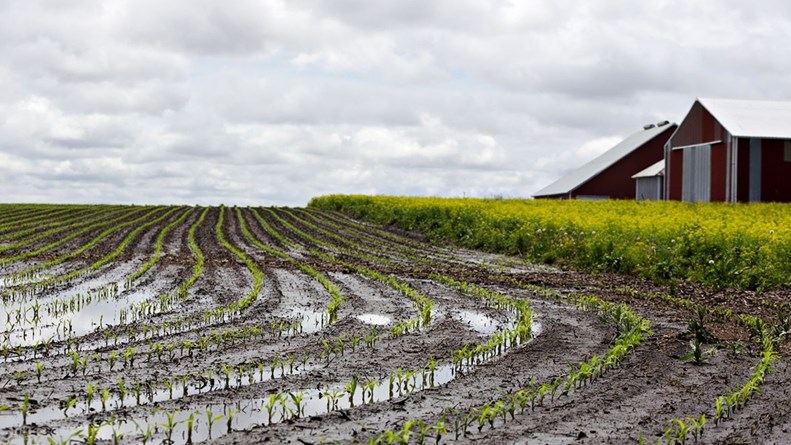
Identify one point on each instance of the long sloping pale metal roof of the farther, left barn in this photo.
(586, 172)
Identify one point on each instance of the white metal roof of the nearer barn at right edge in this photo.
(752, 118)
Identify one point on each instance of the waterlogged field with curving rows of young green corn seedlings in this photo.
(152, 324)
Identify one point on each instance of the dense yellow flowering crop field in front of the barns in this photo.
(746, 246)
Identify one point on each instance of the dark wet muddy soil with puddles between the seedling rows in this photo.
(633, 401)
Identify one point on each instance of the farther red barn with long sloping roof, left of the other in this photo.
(609, 176)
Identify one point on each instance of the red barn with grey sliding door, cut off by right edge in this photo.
(731, 150)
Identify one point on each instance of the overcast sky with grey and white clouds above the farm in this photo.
(272, 102)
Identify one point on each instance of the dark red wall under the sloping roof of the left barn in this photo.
(616, 181)
